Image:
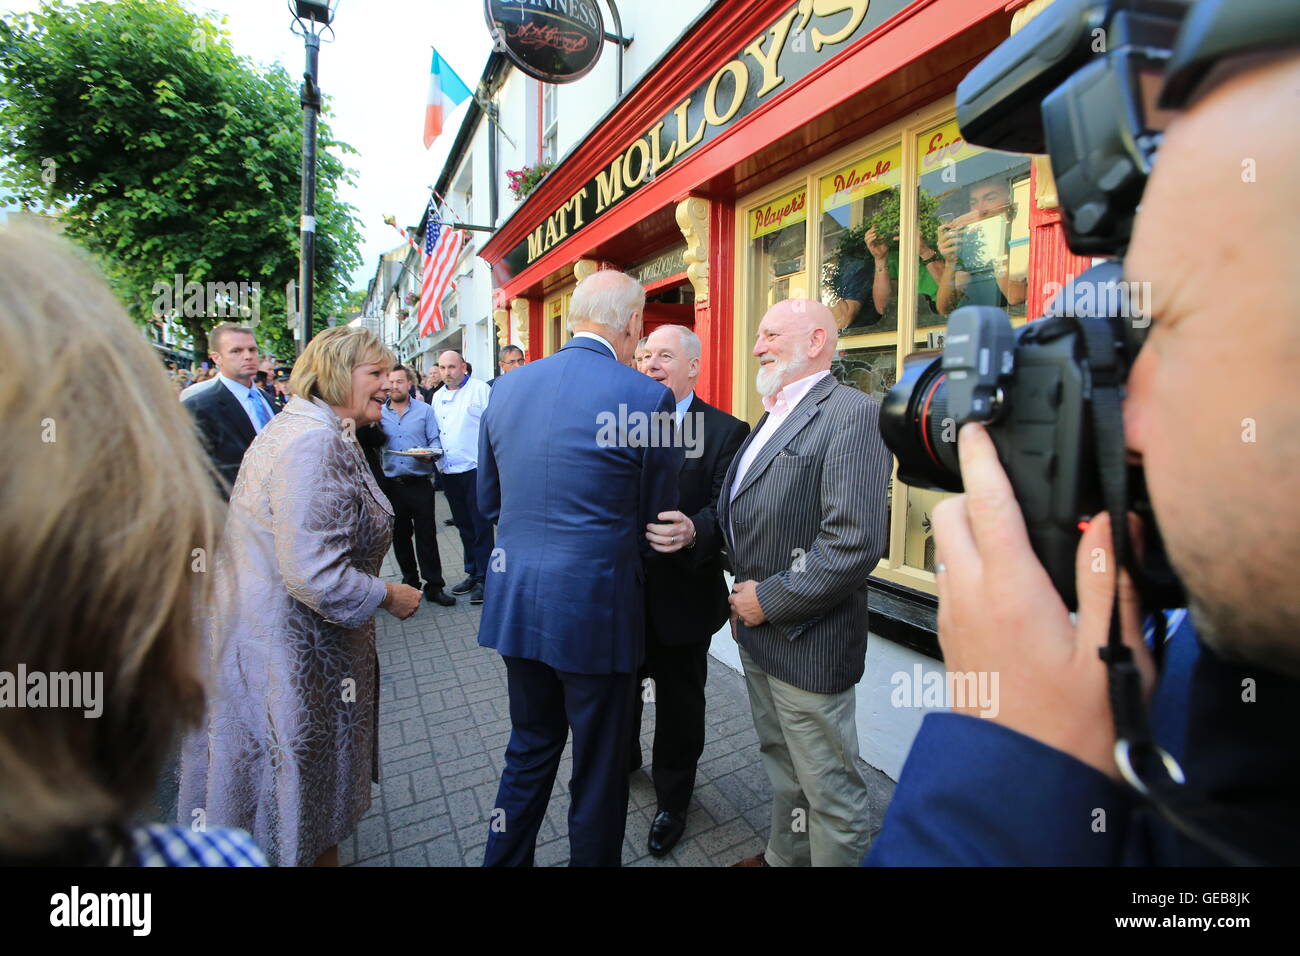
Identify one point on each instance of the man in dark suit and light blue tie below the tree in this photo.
(233, 410)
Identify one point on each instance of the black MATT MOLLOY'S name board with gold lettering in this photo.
(807, 36)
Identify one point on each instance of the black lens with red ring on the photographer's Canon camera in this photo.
(916, 425)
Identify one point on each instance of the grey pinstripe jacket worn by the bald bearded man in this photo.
(809, 525)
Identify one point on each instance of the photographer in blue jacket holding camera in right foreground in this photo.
(1039, 784)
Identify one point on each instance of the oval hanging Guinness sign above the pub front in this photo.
(553, 41)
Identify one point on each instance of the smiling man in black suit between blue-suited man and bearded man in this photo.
(686, 591)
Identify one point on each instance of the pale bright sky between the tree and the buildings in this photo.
(375, 79)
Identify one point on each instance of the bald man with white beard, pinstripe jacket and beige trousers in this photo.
(804, 514)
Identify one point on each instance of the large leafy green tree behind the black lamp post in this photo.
(167, 154)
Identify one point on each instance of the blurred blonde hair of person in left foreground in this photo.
(109, 521)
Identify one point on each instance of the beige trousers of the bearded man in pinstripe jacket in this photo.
(809, 743)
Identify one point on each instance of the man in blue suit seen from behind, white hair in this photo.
(578, 457)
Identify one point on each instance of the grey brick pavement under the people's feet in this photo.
(444, 726)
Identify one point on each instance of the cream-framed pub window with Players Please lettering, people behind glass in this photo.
(963, 217)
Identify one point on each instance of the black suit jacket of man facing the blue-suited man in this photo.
(686, 592)
